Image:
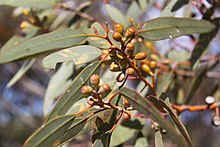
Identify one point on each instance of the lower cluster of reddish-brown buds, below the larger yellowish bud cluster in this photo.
(94, 91)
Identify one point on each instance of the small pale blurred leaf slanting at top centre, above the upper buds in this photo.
(116, 15)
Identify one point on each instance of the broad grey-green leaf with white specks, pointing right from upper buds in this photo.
(171, 27)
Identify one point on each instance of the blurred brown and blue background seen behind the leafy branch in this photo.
(21, 105)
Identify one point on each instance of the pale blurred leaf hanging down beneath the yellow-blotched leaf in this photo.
(57, 85)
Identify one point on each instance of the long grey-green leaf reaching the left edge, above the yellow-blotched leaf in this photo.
(55, 40)
